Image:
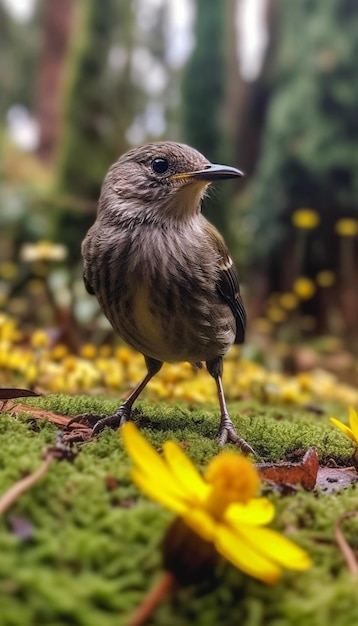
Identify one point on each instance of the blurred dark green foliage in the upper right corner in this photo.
(309, 155)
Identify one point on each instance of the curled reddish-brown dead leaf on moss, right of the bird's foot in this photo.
(303, 473)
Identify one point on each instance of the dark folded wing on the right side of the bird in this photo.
(228, 282)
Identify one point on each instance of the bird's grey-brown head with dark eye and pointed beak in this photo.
(158, 182)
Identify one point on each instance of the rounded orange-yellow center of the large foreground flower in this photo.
(232, 478)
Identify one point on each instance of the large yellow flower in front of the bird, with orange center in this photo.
(221, 507)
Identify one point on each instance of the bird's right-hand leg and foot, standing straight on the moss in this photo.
(227, 432)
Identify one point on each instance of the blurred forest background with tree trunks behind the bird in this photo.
(269, 86)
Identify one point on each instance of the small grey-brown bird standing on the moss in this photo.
(161, 271)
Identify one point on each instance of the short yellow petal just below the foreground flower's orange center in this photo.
(255, 513)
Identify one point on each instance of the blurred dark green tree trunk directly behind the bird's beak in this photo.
(206, 91)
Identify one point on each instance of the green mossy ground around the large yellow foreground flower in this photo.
(91, 551)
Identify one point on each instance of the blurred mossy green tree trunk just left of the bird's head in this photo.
(94, 130)
